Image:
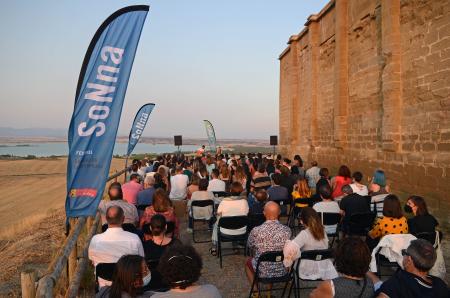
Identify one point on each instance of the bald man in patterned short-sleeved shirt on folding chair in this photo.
(270, 236)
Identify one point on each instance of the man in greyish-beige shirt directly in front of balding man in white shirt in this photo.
(116, 199)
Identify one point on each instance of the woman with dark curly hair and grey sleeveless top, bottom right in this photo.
(352, 262)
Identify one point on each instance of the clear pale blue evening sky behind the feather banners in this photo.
(199, 59)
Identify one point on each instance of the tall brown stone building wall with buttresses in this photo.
(367, 83)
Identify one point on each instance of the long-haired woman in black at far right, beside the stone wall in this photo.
(422, 222)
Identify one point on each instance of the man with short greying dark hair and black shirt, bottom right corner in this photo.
(414, 281)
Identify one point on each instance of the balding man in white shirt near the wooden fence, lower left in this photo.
(109, 246)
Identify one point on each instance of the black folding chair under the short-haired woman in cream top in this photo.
(231, 223)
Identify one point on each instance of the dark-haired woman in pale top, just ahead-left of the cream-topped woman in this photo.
(200, 212)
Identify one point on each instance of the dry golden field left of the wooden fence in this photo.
(32, 195)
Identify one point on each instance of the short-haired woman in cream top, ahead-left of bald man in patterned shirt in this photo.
(236, 205)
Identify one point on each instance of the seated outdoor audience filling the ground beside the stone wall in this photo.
(151, 260)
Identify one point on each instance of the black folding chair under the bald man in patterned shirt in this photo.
(275, 257)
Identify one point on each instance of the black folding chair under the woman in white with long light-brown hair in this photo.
(313, 255)
